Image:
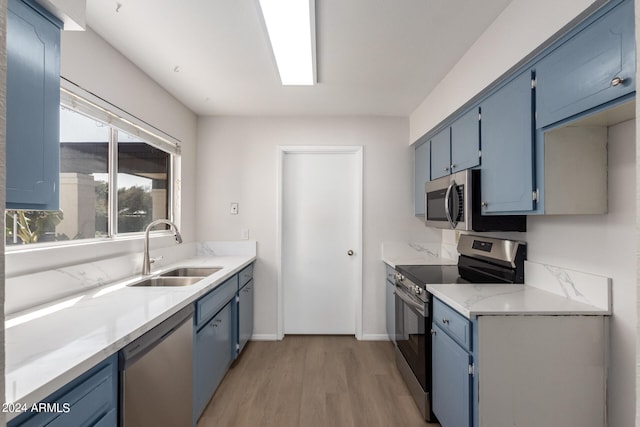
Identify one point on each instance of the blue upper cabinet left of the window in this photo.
(33, 107)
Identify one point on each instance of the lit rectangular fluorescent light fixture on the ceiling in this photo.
(291, 28)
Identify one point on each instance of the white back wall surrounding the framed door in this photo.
(237, 162)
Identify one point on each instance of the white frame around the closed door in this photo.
(356, 150)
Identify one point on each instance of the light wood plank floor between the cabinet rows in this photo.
(313, 381)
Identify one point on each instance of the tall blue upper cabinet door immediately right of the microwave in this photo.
(507, 180)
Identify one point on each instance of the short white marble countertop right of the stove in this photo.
(506, 299)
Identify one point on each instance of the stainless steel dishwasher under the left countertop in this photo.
(156, 375)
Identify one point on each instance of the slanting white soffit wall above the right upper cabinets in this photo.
(519, 29)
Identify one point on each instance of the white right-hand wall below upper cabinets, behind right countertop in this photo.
(604, 245)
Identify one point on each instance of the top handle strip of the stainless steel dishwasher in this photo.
(141, 346)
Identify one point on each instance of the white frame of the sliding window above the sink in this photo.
(80, 101)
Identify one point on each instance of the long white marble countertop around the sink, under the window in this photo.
(48, 347)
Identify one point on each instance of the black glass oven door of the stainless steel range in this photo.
(412, 321)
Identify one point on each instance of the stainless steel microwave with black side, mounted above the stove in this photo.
(453, 202)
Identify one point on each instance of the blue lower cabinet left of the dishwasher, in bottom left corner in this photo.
(89, 400)
